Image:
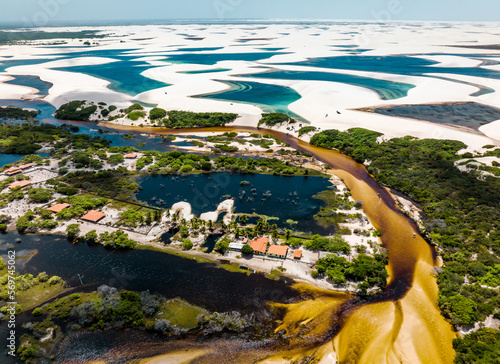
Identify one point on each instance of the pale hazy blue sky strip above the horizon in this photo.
(43, 12)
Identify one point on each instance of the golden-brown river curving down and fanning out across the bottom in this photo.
(403, 324)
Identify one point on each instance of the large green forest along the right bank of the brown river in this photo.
(461, 208)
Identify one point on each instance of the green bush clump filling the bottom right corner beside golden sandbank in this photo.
(481, 347)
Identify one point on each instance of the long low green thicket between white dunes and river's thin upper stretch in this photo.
(186, 119)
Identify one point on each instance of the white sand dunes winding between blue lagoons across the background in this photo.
(318, 98)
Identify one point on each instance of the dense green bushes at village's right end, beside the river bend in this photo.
(369, 272)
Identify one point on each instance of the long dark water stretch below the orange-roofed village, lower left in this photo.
(140, 270)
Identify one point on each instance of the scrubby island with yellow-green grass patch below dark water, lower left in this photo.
(109, 309)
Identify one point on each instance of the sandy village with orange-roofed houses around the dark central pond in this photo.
(90, 215)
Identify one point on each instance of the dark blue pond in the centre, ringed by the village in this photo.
(287, 198)
